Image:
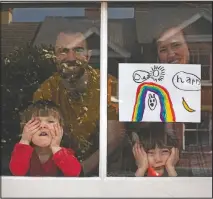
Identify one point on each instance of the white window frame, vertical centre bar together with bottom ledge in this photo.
(103, 186)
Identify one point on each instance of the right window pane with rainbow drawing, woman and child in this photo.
(171, 37)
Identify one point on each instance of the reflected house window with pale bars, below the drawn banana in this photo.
(199, 134)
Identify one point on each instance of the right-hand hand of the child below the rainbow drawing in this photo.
(172, 161)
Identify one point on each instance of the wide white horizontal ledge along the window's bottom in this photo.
(23, 187)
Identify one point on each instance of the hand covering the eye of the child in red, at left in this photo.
(30, 128)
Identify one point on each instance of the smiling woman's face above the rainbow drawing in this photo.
(172, 47)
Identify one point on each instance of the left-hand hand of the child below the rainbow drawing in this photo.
(140, 157)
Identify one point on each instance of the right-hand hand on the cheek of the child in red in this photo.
(57, 134)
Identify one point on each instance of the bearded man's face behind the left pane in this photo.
(70, 48)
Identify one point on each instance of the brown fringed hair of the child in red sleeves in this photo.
(41, 108)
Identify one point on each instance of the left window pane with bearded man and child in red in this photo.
(52, 64)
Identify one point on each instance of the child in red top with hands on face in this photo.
(39, 152)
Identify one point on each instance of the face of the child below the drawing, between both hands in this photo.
(157, 158)
